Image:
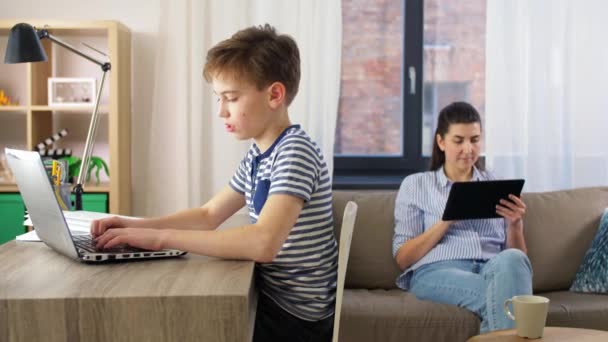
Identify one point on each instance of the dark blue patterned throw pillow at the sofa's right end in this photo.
(592, 275)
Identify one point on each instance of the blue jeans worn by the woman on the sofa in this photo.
(476, 285)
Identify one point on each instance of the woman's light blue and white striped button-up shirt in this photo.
(420, 204)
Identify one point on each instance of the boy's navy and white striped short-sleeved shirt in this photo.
(302, 277)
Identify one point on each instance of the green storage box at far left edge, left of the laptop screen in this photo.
(12, 212)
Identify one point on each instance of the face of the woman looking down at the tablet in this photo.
(462, 145)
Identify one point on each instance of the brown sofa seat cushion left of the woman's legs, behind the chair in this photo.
(395, 315)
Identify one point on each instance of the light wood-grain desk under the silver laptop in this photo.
(45, 296)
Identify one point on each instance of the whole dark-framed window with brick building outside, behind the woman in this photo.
(402, 61)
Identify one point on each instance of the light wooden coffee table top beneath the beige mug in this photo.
(549, 334)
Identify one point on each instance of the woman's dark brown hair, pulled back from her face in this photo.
(454, 113)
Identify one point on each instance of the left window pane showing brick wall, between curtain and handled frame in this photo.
(372, 56)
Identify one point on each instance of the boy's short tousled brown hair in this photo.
(259, 55)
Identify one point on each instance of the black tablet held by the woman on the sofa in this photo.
(478, 200)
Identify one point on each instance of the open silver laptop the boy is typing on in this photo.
(48, 219)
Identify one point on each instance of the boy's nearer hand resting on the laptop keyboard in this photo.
(152, 239)
